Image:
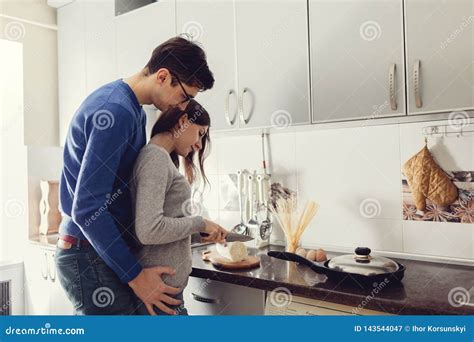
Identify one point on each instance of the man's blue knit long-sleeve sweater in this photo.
(103, 141)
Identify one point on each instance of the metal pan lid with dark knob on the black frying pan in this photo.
(361, 262)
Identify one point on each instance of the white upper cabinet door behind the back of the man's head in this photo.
(139, 31)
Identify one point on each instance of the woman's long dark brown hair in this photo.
(168, 121)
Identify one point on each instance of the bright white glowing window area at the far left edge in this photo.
(13, 185)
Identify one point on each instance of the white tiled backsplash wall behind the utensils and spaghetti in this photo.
(342, 170)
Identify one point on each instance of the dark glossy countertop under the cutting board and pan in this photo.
(423, 291)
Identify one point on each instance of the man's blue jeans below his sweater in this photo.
(91, 286)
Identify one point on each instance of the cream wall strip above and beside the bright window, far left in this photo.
(33, 24)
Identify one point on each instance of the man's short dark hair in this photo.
(185, 60)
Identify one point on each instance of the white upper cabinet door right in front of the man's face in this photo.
(211, 23)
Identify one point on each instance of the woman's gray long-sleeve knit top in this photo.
(160, 194)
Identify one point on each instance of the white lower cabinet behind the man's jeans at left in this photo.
(43, 292)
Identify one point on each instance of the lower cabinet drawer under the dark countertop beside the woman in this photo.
(205, 297)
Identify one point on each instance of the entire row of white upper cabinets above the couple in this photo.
(275, 62)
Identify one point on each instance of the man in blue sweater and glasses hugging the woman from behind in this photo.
(94, 256)
